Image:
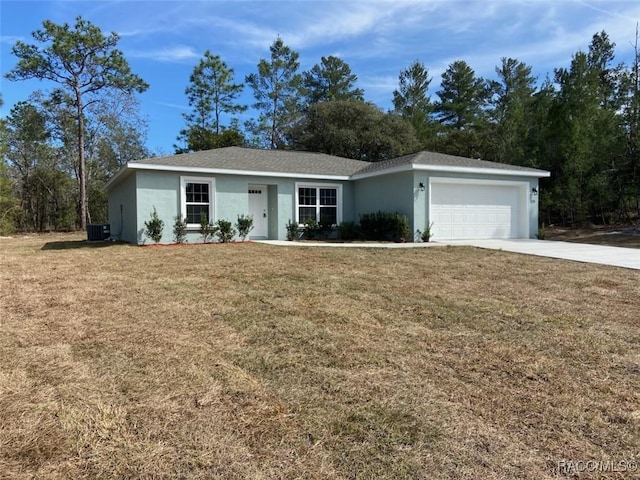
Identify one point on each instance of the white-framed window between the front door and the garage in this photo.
(320, 203)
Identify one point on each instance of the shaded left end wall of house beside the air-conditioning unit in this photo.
(123, 210)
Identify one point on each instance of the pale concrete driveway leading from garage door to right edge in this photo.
(579, 252)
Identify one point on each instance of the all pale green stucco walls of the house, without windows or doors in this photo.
(132, 200)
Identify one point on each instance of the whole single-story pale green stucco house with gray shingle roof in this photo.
(463, 198)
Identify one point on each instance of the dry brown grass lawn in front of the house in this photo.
(253, 361)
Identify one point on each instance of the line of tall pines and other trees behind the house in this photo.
(581, 123)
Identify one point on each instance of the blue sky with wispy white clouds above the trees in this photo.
(164, 40)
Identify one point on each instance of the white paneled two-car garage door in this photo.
(469, 210)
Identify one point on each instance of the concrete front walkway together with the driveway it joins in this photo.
(579, 252)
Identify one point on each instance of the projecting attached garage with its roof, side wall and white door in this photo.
(459, 198)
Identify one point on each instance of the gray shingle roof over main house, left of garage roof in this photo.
(259, 160)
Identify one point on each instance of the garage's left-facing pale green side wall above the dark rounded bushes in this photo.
(389, 193)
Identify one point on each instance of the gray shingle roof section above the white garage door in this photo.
(442, 160)
